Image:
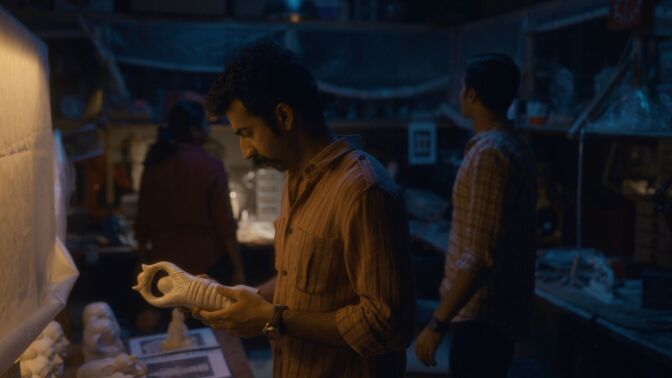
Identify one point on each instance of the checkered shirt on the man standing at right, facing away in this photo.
(493, 230)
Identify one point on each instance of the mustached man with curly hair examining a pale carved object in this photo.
(342, 303)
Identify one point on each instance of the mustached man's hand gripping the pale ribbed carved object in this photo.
(245, 317)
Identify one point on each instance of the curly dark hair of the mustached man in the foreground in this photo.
(261, 76)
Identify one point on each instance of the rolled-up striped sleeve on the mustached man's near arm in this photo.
(376, 249)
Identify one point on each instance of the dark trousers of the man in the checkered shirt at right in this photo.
(479, 350)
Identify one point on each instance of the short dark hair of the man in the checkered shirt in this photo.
(495, 78)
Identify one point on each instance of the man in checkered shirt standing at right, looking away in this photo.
(487, 291)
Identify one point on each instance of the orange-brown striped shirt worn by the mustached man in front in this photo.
(341, 246)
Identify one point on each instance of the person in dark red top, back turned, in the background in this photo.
(184, 210)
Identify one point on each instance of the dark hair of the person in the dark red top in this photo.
(182, 117)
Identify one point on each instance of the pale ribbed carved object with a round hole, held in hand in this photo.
(179, 288)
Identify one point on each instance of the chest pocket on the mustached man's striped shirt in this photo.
(319, 262)
